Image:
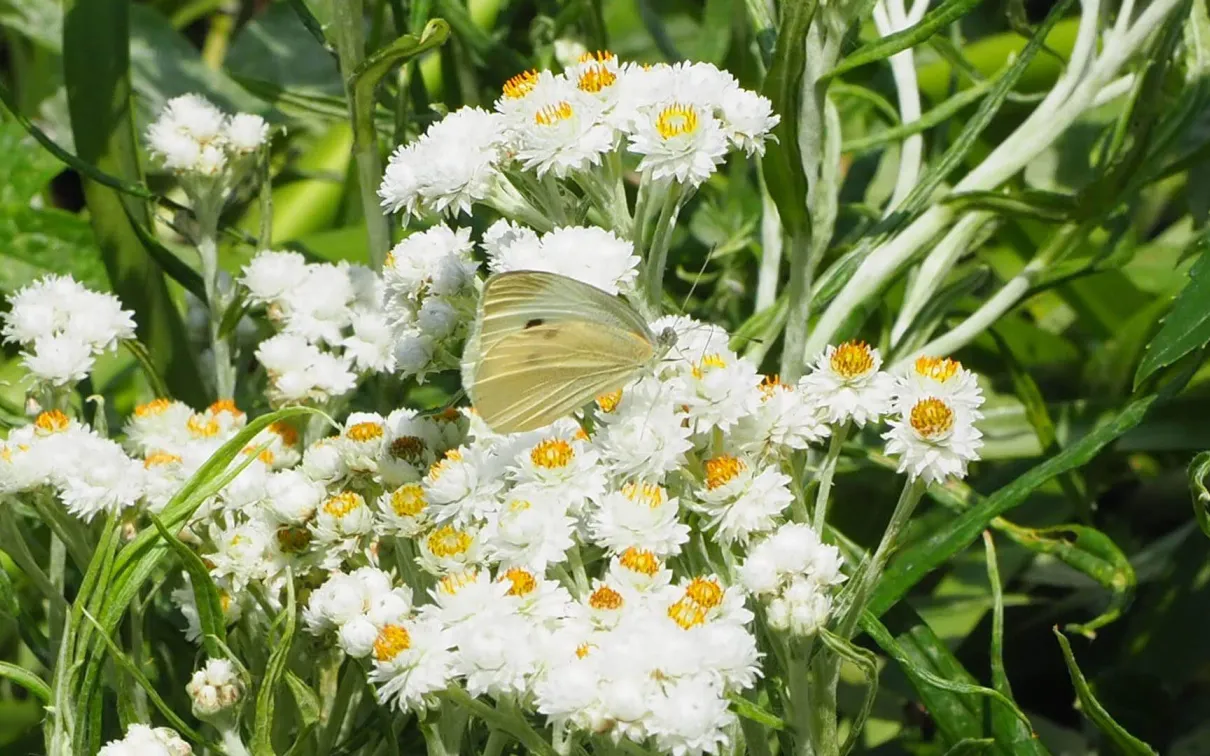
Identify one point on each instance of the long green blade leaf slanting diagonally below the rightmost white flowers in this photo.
(921, 558)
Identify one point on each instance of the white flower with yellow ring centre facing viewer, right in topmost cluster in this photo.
(679, 141)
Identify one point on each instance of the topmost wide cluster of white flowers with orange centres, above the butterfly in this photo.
(679, 122)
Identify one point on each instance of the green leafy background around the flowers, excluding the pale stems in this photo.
(1085, 459)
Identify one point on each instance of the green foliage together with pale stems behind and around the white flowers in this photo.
(1057, 282)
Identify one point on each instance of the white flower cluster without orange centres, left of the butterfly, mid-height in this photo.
(331, 326)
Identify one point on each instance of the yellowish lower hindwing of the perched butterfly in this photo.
(532, 378)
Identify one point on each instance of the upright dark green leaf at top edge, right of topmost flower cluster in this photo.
(783, 86)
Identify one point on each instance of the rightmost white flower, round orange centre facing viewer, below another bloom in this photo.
(935, 440)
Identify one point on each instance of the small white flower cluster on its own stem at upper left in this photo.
(193, 138)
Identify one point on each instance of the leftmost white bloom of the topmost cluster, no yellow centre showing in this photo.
(450, 169)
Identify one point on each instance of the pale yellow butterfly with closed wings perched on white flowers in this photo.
(544, 345)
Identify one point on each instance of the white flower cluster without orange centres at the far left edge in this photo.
(62, 327)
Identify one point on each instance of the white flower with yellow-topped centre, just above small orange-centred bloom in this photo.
(641, 516)
